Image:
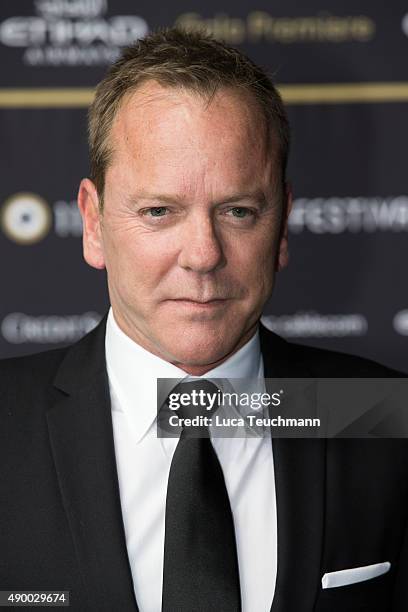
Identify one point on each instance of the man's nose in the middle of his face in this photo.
(201, 249)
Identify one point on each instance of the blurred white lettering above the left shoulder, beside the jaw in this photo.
(20, 328)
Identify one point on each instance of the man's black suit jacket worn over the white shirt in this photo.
(341, 503)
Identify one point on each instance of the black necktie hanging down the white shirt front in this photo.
(200, 571)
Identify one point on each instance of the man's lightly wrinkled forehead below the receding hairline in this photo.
(154, 119)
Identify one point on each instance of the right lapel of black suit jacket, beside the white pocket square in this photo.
(299, 466)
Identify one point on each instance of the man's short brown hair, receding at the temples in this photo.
(180, 59)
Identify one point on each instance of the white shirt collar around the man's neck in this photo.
(133, 372)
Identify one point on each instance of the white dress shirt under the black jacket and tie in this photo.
(143, 463)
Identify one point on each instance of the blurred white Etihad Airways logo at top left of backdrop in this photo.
(71, 33)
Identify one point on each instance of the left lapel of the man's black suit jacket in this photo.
(81, 435)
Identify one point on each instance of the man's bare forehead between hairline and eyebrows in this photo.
(169, 130)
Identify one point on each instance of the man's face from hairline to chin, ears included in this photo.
(192, 223)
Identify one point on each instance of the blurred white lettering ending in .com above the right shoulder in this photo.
(316, 325)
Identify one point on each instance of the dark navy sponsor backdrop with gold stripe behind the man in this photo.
(341, 67)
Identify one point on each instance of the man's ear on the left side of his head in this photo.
(88, 204)
